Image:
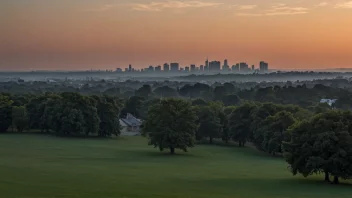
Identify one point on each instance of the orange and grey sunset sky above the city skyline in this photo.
(106, 34)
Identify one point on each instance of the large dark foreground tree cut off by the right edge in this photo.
(322, 144)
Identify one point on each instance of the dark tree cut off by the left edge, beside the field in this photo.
(5, 112)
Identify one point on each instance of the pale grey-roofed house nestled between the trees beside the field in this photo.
(130, 125)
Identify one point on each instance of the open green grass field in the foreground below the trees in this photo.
(37, 166)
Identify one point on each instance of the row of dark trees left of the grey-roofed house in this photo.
(67, 114)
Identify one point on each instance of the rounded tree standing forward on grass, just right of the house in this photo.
(171, 124)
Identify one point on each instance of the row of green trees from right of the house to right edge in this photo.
(310, 142)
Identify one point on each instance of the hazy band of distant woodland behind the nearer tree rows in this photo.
(304, 94)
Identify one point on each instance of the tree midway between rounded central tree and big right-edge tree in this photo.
(240, 123)
